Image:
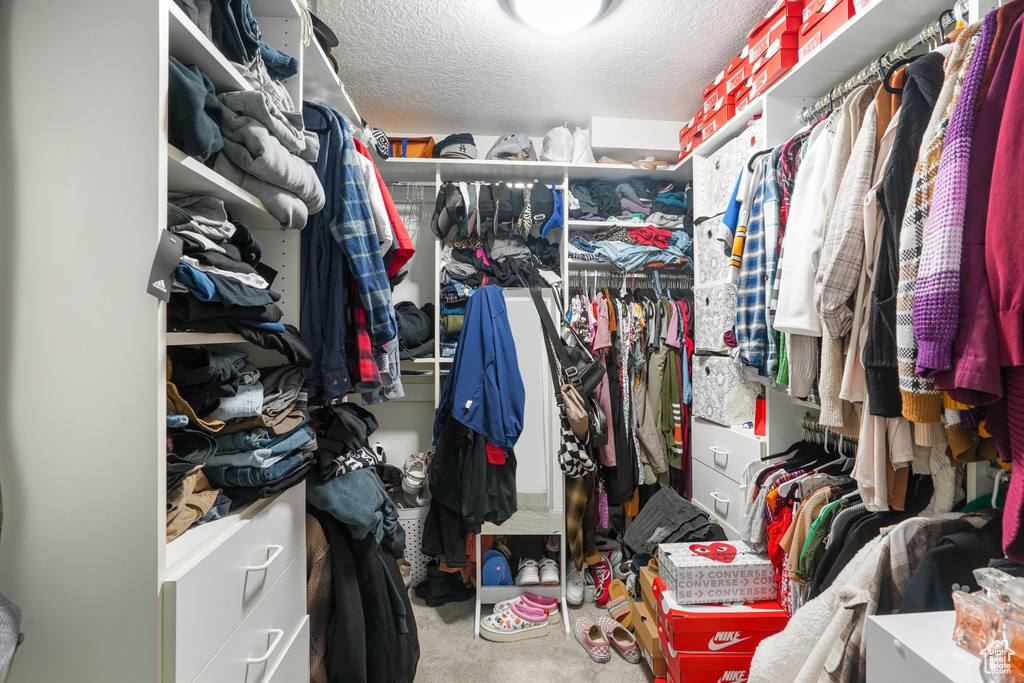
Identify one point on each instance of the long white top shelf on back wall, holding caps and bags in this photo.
(425, 170)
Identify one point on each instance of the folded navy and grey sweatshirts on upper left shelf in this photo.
(249, 140)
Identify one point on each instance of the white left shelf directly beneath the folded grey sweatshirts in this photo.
(185, 175)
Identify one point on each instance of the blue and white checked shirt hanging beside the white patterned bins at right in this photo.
(752, 326)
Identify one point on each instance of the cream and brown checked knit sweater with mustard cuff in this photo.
(922, 403)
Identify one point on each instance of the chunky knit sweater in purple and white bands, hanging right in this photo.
(936, 300)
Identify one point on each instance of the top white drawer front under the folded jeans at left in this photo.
(205, 602)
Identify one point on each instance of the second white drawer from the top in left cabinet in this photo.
(258, 649)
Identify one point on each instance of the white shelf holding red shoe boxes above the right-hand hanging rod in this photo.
(873, 32)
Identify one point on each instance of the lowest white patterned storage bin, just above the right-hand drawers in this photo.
(721, 394)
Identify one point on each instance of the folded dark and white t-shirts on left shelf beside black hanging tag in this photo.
(220, 284)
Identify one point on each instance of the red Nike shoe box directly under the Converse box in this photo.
(723, 629)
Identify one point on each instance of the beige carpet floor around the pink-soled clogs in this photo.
(450, 655)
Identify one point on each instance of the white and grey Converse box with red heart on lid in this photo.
(715, 572)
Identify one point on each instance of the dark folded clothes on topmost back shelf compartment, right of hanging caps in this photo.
(641, 201)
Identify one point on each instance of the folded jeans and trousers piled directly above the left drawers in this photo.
(241, 433)
